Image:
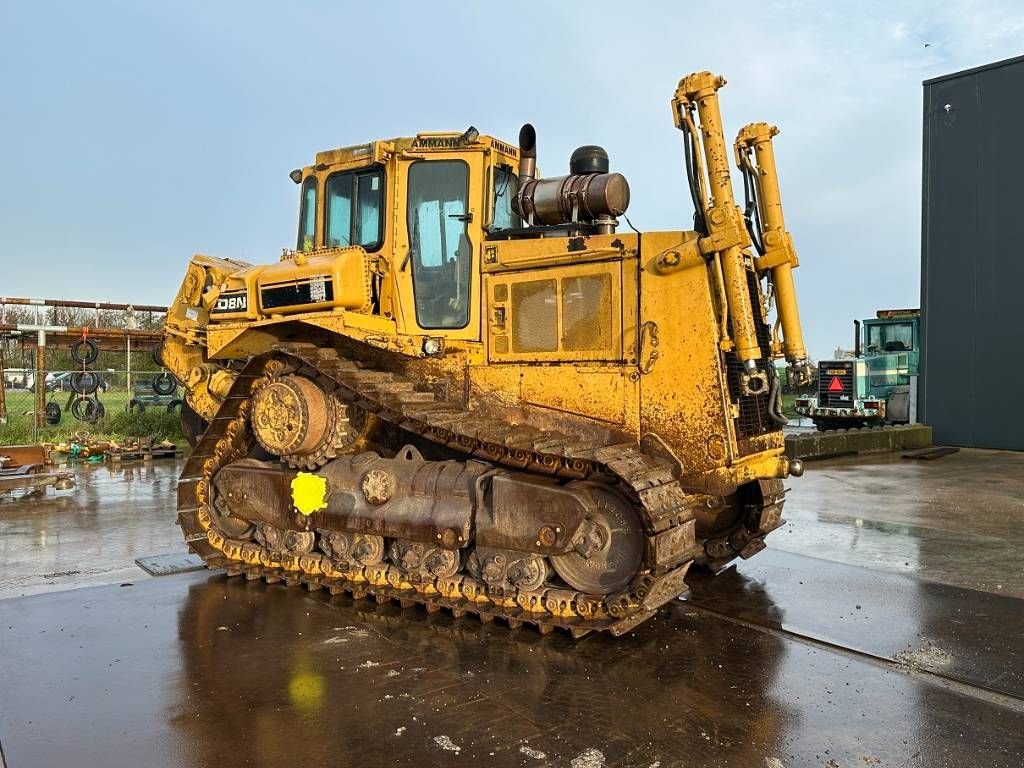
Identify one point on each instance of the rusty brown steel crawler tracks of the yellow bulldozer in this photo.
(666, 511)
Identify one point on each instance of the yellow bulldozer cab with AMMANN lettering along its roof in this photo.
(420, 207)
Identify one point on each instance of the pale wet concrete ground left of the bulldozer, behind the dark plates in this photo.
(91, 535)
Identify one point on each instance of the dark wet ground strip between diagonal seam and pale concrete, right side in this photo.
(973, 637)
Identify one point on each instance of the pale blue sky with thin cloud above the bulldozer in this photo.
(135, 135)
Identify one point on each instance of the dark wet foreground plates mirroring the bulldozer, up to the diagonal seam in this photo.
(202, 671)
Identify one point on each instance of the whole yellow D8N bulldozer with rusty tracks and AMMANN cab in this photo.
(467, 389)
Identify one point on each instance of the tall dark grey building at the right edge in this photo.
(972, 258)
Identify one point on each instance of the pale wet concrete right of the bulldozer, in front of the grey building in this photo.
(959, 520)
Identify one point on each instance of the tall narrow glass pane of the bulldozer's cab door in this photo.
(440, 249)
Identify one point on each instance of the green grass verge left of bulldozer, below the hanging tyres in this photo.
(117, 422)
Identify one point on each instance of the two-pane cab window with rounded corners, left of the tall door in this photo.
(353, 212)
